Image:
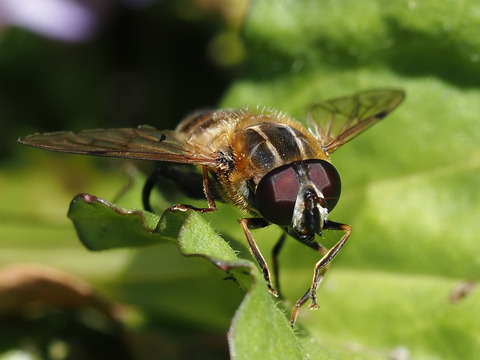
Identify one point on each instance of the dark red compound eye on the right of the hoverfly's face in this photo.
(326, 179)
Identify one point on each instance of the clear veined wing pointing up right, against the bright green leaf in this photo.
(339, 120)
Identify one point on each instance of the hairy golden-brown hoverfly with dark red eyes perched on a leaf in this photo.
(264, 162)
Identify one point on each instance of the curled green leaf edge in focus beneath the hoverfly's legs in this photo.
(103, 226)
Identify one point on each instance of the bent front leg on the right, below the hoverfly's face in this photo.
(321, 266)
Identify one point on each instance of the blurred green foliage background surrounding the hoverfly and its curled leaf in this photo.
(403, 287)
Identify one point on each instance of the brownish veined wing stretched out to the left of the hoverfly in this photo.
(144, 142)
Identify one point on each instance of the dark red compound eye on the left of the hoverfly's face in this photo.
(276, 194)
